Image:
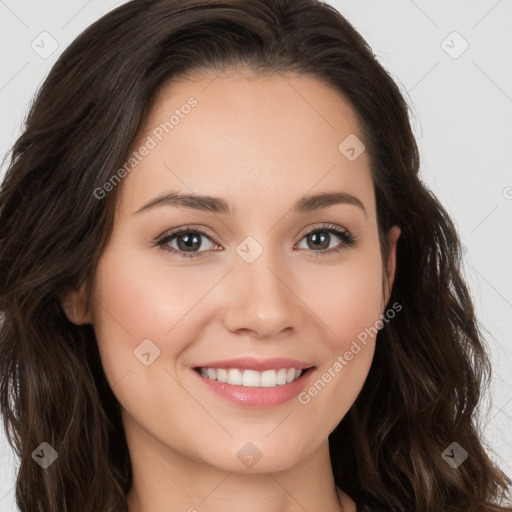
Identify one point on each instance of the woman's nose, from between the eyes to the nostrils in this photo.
(261, 302)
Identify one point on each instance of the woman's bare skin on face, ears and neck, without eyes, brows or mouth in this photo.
(259, 143)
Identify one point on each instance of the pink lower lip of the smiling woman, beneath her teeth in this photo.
(263, 397)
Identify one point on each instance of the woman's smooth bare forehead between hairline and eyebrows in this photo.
(237, 134)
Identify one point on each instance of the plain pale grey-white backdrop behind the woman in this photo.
(453, 62)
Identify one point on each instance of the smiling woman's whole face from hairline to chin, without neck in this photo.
(257, 275)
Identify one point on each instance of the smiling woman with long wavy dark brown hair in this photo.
(224, 285)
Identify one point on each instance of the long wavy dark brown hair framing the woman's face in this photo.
(430, 366)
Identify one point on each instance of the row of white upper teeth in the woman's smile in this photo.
(252, 378)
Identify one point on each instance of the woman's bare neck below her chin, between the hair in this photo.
(164, 477)
